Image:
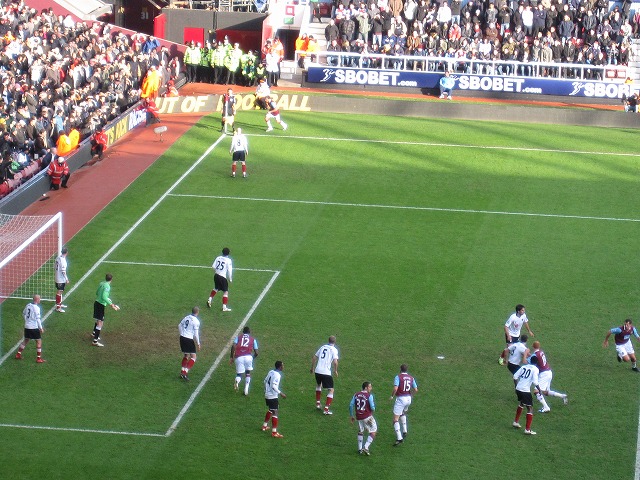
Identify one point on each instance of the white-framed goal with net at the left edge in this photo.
(28, 248)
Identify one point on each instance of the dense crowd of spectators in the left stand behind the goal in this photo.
(62, 80)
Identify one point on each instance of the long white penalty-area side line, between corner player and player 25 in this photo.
(402, 207)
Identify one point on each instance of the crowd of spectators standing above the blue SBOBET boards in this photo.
(548, 31)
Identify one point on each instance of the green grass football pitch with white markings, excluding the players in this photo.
(408, 239)
